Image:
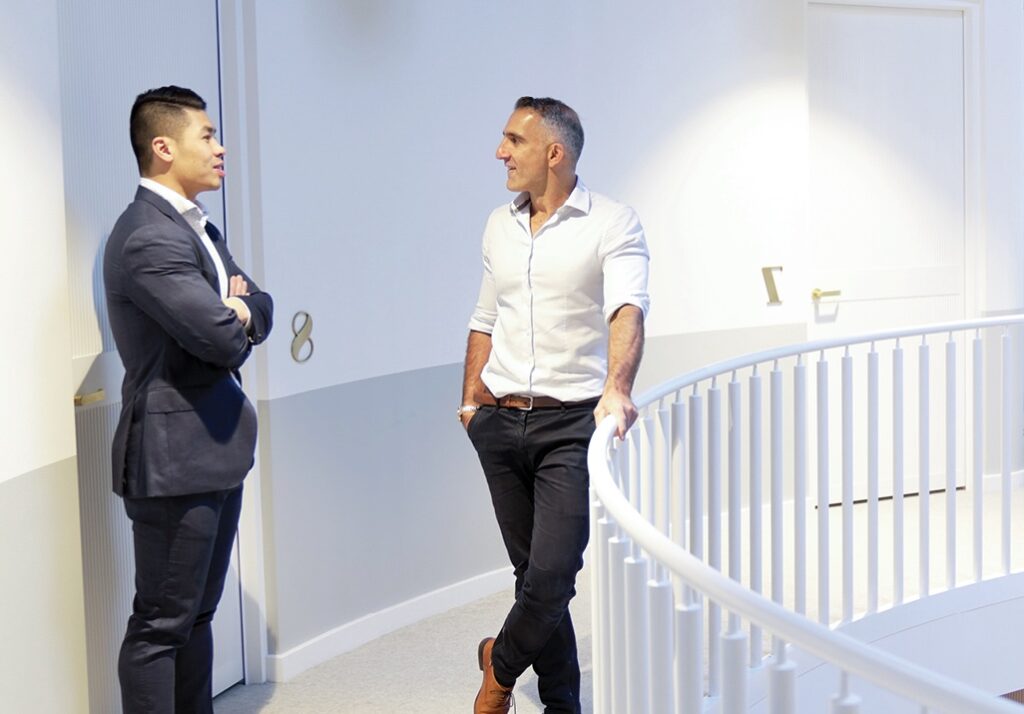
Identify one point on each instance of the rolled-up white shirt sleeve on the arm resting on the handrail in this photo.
(626, 265)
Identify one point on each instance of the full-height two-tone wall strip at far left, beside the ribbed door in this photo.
(42, 661)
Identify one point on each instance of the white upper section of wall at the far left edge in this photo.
(38, 424)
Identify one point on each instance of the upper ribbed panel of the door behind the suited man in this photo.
(108, 57)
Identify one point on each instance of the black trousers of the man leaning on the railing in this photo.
(536, 466)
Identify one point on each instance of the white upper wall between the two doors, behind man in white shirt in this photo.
(379, 128)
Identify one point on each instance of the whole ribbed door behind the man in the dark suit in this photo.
(109, 55)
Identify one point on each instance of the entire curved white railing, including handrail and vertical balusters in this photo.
(728, 594)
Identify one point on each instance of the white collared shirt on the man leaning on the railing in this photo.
(546, 300)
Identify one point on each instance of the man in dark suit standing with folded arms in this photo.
(185, 318)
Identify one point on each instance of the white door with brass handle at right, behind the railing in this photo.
(890, 200)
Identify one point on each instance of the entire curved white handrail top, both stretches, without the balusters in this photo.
(889, 671)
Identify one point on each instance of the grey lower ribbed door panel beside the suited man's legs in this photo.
(107, 555)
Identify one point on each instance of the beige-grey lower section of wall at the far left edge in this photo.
(44, 659)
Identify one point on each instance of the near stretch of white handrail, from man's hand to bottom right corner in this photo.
(877, 666)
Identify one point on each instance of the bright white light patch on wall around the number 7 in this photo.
(723, 196)
